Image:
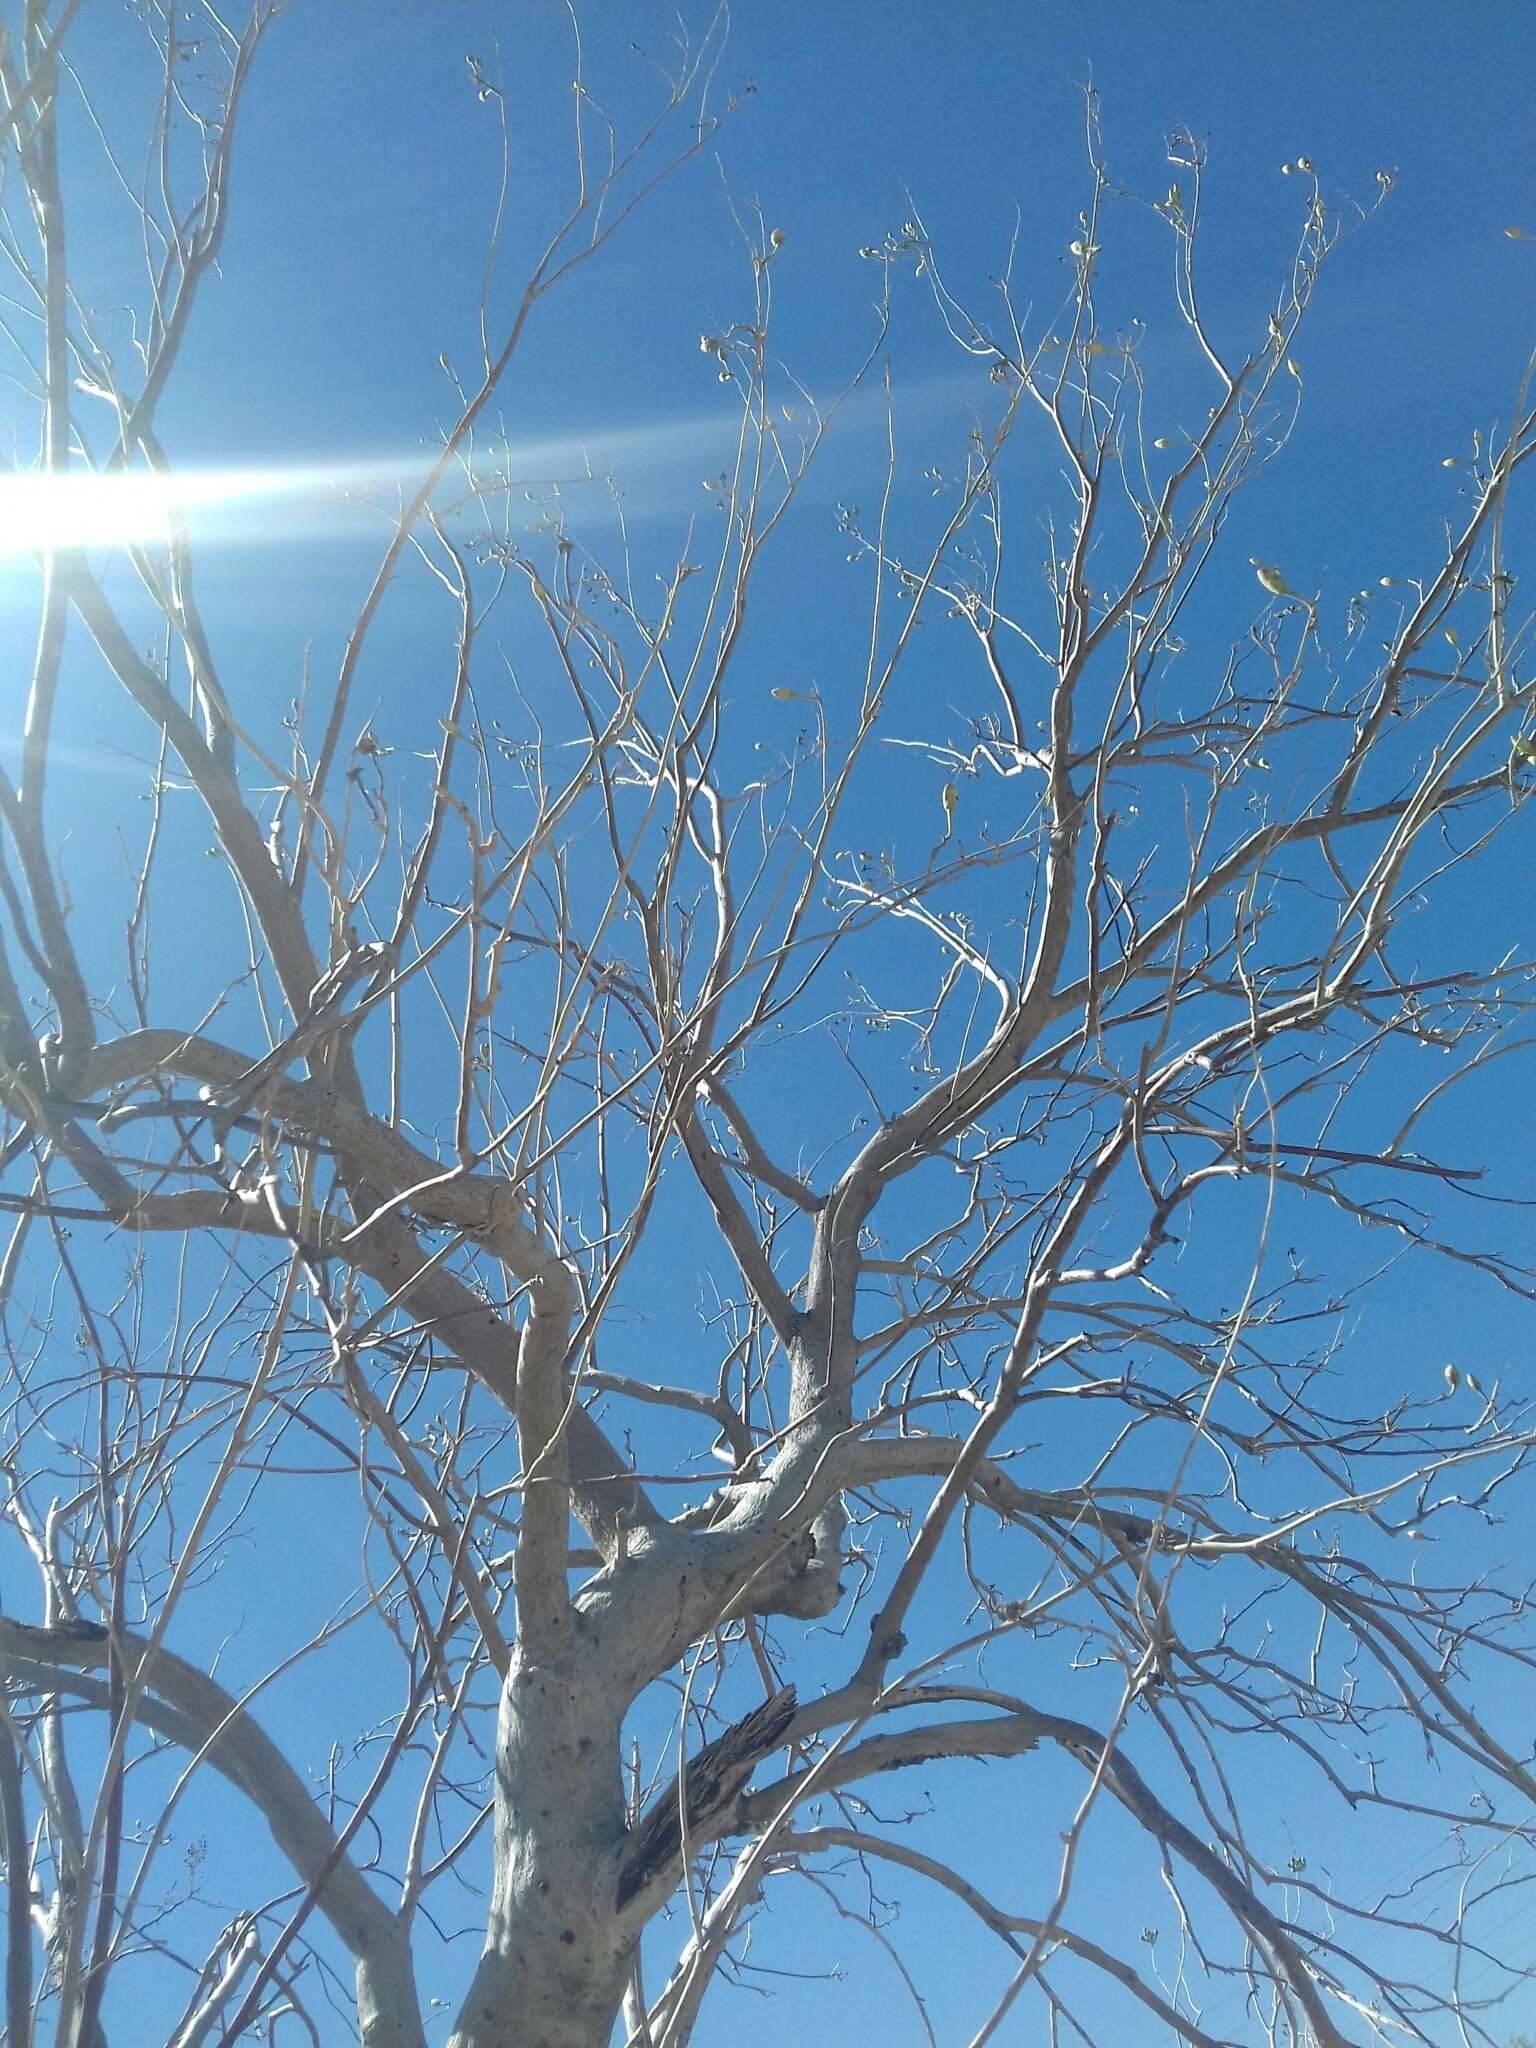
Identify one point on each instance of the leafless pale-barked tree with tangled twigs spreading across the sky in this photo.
(1002, 1175)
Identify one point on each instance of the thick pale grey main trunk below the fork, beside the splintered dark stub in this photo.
(556, 1949)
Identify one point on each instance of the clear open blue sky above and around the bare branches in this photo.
(364, 194)
